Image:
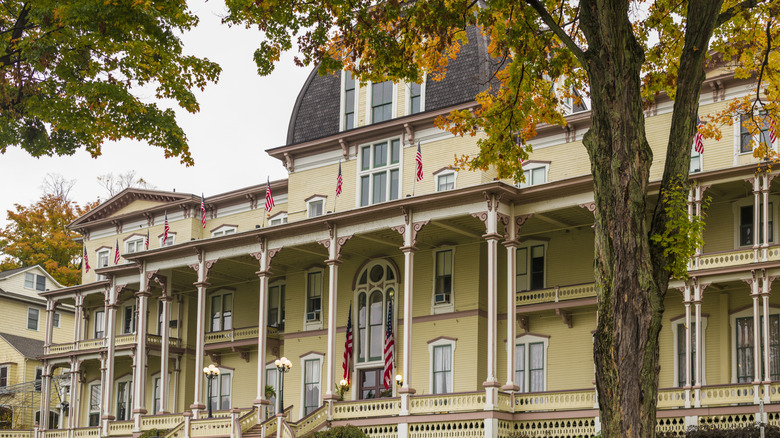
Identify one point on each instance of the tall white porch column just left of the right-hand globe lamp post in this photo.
(264, 257)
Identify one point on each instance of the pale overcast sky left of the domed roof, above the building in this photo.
(240, 117)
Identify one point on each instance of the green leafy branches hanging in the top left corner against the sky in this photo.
(71, 70)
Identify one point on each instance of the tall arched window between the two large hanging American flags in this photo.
(376, 286)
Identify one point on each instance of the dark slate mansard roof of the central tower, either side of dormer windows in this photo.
(316, 110)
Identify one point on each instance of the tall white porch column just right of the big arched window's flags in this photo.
(409, 232)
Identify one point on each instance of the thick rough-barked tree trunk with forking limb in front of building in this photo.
(632, 274)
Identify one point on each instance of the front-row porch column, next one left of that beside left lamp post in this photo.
(139, 379)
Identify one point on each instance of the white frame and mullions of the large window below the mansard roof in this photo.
(387, 169)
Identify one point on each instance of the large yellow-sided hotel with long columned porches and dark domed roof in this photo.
(486, 285)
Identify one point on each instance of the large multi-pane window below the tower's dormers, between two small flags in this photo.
(380, 172)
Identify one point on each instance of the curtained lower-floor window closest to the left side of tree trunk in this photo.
(531, 363)
